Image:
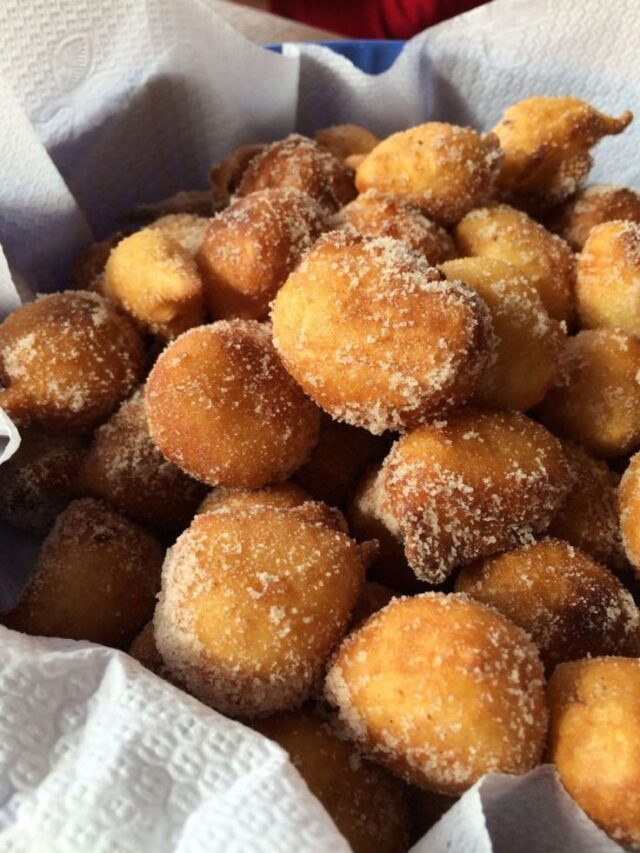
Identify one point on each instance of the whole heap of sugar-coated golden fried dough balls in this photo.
(348, 448)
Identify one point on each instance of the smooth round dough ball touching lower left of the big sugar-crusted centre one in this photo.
(221, 407)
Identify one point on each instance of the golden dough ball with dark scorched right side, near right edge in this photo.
(569, 605)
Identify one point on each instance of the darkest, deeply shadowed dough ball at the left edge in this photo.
(36, 484)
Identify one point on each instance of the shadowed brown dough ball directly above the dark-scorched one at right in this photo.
(588, 518)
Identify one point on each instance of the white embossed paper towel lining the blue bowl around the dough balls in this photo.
(108, 105)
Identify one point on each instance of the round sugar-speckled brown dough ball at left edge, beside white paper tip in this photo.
(66, 361)
